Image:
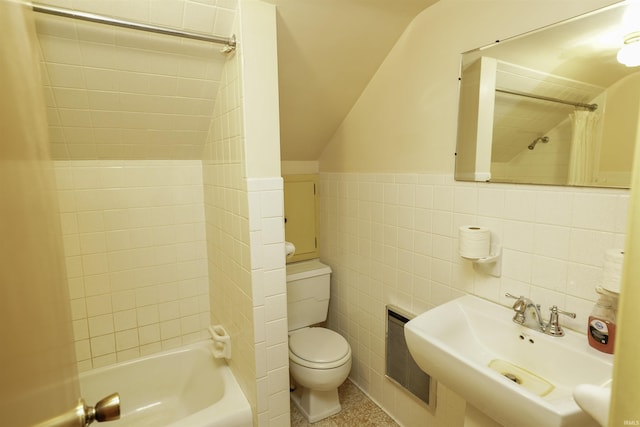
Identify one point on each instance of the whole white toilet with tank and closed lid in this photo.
(319, 358)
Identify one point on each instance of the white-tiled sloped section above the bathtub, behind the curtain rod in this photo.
(115, 93)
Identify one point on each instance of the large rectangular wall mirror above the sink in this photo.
(553, 106)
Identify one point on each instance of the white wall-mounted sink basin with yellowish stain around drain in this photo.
(515, 375)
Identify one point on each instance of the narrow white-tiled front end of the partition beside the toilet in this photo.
(266, 218)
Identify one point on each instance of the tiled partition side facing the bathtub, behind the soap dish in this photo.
(227, 224)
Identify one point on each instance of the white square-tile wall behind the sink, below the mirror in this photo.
(392, 238)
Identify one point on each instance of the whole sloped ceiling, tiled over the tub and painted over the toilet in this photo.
(114, 93)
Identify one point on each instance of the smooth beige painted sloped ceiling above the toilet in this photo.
(328, 51)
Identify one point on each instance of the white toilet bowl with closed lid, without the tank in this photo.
(319, 362)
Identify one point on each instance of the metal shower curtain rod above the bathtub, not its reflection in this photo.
(230, 42)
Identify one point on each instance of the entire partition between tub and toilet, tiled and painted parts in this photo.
(245, 227)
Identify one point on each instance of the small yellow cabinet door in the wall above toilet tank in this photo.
(300, 212)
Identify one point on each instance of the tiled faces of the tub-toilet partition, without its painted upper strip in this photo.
(245, 237)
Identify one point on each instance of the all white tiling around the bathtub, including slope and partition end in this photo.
(142, 275)
